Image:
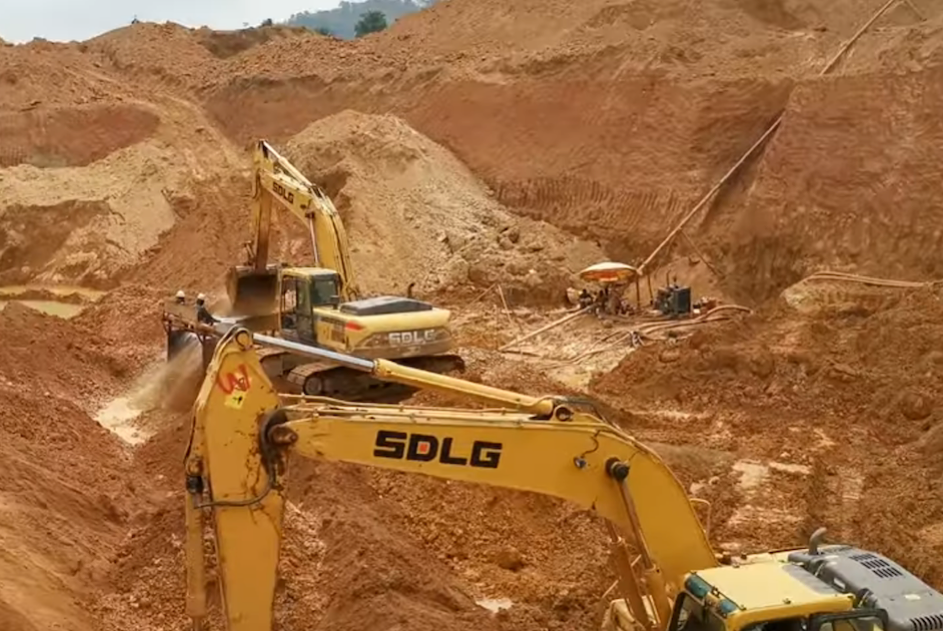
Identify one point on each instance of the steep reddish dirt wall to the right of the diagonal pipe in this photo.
(807, 210)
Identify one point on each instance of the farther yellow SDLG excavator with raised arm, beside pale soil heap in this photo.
(318, 306)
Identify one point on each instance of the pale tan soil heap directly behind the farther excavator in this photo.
(415, 214)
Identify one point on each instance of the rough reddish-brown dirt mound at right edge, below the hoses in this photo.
(855, 362)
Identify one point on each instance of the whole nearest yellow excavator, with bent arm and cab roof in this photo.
(670, 578)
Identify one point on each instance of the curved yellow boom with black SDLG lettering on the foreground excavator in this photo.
(538, 456)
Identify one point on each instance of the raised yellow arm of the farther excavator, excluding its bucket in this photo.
(276, 178)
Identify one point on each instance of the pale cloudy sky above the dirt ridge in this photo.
(66, 20)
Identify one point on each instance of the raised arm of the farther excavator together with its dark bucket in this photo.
(276, 179)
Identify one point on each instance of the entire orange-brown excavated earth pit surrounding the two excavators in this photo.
(446, 143)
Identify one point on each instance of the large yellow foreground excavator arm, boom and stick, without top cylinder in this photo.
(243, 434)
